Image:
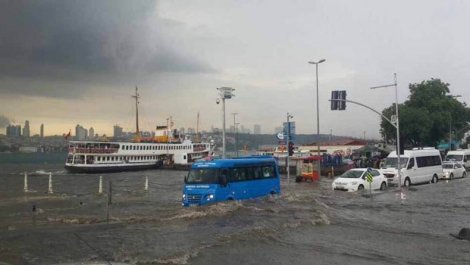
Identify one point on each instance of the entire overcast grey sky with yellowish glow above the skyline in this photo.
(64, 63)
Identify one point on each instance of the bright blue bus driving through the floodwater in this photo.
(231, 179)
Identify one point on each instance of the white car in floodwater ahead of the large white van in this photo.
(355, 179)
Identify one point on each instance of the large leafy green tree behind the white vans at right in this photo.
(428, 116)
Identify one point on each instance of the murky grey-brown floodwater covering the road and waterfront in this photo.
(307, 224)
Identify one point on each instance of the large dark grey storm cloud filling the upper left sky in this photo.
(65, 40)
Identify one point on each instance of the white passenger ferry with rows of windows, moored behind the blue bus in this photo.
(100, 156)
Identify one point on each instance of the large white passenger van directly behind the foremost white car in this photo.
(417, 166)
